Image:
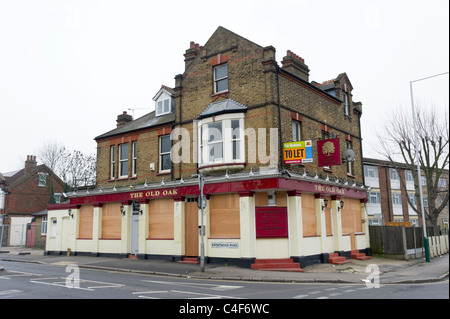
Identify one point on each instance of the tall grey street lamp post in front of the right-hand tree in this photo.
(425, 240)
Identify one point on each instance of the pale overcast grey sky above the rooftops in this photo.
(68, 68)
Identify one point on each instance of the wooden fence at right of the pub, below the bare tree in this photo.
(406, 242)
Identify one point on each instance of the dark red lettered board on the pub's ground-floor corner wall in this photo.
(271, 222)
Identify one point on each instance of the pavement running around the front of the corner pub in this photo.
(391, 271)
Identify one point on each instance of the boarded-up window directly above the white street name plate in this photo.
(225, 216)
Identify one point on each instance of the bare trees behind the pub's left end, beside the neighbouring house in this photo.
(73, 167)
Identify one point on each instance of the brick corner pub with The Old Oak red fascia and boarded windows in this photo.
(280, 156)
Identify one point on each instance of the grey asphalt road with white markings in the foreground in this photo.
(62, 281)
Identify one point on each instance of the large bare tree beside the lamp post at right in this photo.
(398, 144)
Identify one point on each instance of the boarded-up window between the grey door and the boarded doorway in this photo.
(161, 219)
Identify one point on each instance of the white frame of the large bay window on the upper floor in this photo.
(226, 139)
